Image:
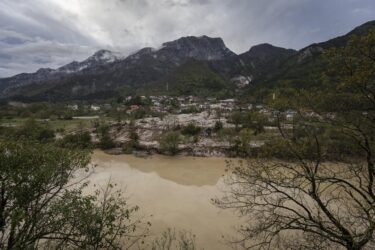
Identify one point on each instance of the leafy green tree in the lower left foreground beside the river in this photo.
(42, 205)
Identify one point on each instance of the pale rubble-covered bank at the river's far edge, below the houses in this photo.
(200, 134)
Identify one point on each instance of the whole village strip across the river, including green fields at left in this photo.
(139, 124)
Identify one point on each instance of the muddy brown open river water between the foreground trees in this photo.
(173, 192)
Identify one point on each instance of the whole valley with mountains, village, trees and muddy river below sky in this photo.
(192, 146)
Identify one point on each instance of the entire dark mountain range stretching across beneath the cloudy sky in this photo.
(189, 65)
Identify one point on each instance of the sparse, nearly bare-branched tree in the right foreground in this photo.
(309, 202)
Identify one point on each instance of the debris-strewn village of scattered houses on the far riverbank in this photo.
(219, 124)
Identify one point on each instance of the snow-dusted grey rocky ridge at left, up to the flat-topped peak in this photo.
(103, 72)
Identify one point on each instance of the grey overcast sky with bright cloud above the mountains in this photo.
(51, 33)
